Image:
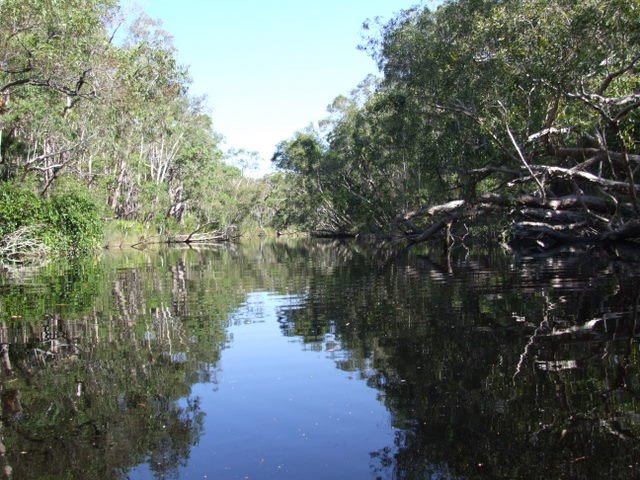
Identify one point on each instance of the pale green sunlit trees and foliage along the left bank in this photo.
(110, 113)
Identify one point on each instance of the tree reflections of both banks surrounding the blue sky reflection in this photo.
(490, 368)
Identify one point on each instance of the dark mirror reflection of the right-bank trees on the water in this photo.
(445, 343)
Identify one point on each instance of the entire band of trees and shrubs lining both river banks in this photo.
(493, 121)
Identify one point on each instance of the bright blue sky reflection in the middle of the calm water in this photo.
(282, 411)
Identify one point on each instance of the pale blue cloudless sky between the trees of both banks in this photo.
(270, 67)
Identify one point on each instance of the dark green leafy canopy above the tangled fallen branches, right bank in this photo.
(459, 83)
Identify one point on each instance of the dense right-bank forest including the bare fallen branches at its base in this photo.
(520, 115)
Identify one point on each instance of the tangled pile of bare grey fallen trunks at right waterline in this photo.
(600, 209)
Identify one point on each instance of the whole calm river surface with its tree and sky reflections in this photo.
(310, 359)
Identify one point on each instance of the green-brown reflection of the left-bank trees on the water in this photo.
(90, 386)
